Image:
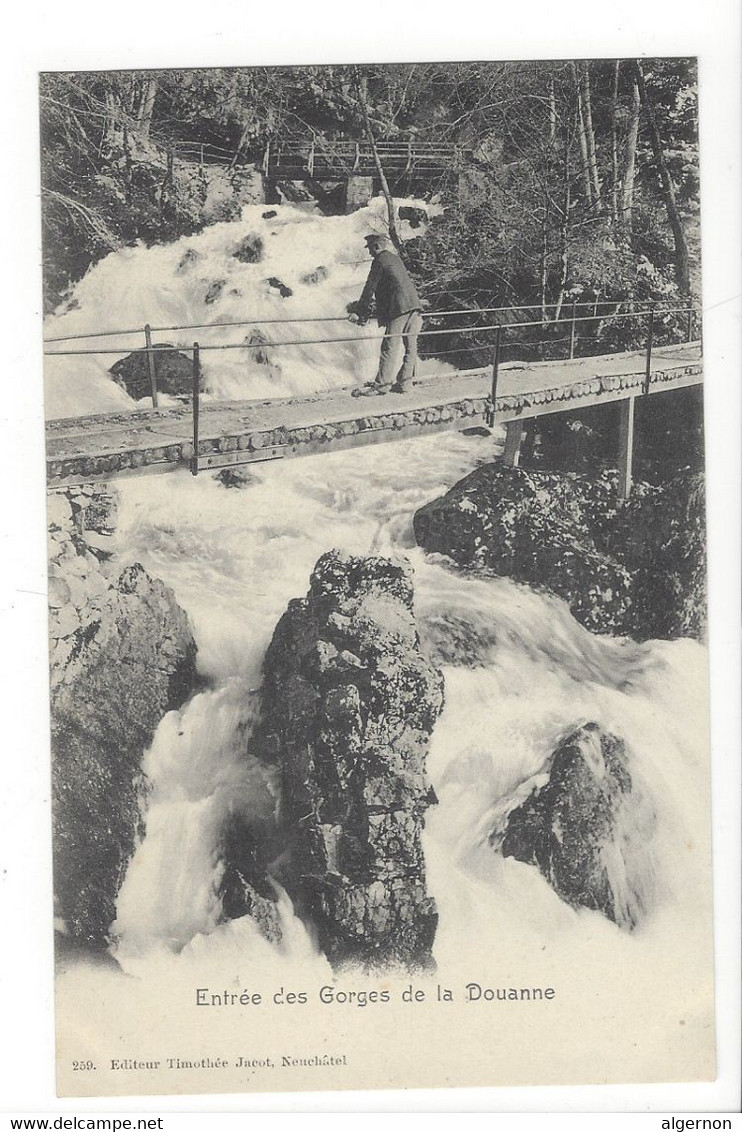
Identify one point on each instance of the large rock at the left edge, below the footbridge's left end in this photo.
(123, 655)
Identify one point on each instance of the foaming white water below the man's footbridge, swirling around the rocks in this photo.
(519, 675)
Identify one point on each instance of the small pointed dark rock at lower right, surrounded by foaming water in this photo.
(586, 829)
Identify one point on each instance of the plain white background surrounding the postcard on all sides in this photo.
(115, 35)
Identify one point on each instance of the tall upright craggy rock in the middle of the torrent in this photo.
(349, 704)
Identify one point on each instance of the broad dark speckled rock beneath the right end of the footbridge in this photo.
(634, 569)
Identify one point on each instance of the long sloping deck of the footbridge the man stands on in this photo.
(101, 448)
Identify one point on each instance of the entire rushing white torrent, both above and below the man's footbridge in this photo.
(519, 672)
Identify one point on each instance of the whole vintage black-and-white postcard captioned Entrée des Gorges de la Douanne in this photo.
(378, 577)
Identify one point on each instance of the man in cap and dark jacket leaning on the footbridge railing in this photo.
(398, 312)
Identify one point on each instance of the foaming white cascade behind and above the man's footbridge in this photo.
(321, 261)
